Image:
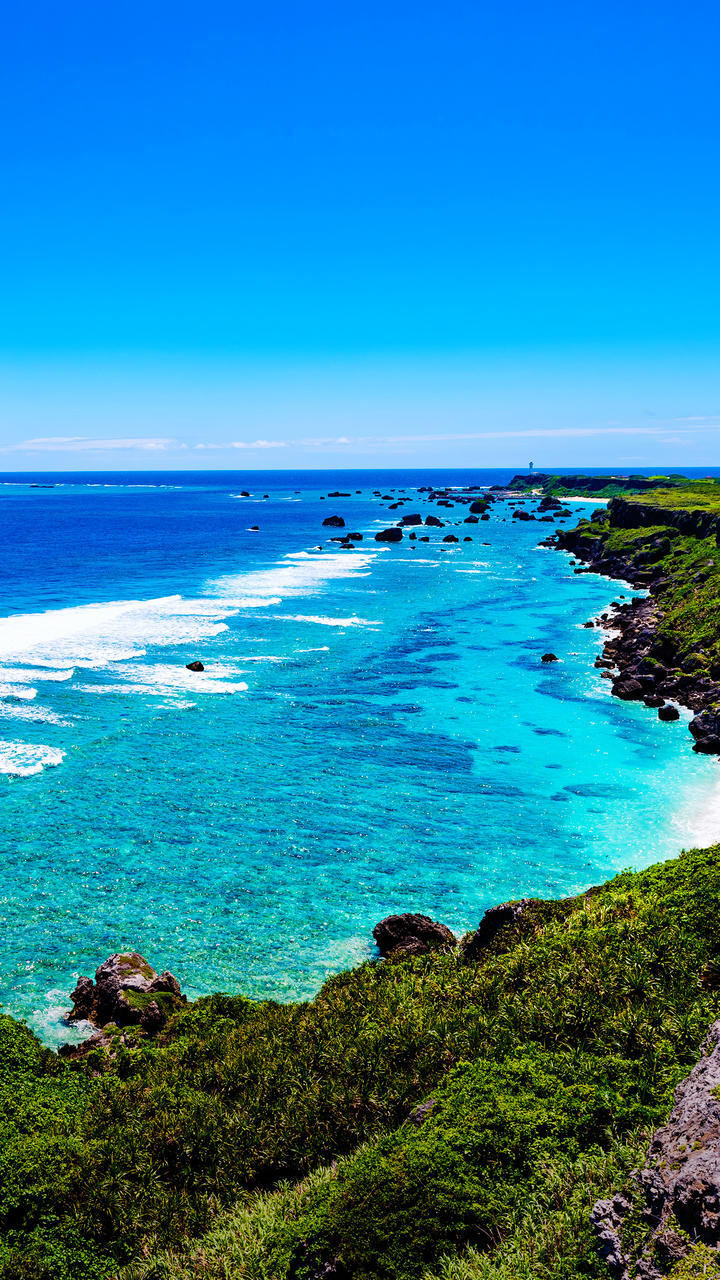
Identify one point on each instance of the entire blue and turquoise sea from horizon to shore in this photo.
(375, 733)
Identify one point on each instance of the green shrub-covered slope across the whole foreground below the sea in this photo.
(282, 1140)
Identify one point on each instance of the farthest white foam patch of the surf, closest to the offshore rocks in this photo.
(297, 574)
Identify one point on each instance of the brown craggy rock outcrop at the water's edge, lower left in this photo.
(121, 990)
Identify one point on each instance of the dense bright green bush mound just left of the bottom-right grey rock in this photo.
(454, 1181)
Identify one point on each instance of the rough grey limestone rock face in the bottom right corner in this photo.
(675, 1203)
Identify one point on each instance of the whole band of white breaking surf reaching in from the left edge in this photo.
(112, 639)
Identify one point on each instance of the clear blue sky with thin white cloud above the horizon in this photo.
(381, 234)
